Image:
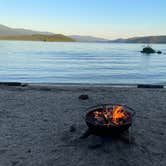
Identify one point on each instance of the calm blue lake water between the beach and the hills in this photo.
(44, 62)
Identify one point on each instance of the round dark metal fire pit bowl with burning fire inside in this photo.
(109, 119)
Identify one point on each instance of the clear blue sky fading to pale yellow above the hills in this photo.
(101, 18)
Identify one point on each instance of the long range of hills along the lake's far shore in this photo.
(20, 34)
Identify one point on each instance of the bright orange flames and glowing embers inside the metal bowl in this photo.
(111, 116)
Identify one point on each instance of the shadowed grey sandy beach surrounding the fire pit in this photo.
(42, 125)
